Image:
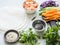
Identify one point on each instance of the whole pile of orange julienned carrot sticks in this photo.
(53, 14)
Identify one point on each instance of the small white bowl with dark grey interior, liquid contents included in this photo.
(39, 25)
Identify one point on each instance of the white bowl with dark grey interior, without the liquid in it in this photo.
(39, 31)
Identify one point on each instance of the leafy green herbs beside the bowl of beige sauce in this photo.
(28, 37)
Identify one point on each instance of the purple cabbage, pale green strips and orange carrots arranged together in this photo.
(49, 11)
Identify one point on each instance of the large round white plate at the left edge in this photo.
(12, 18)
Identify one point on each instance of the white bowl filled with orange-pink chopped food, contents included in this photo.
(30, 6)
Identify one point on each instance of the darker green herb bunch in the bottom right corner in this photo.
(51, 36)
